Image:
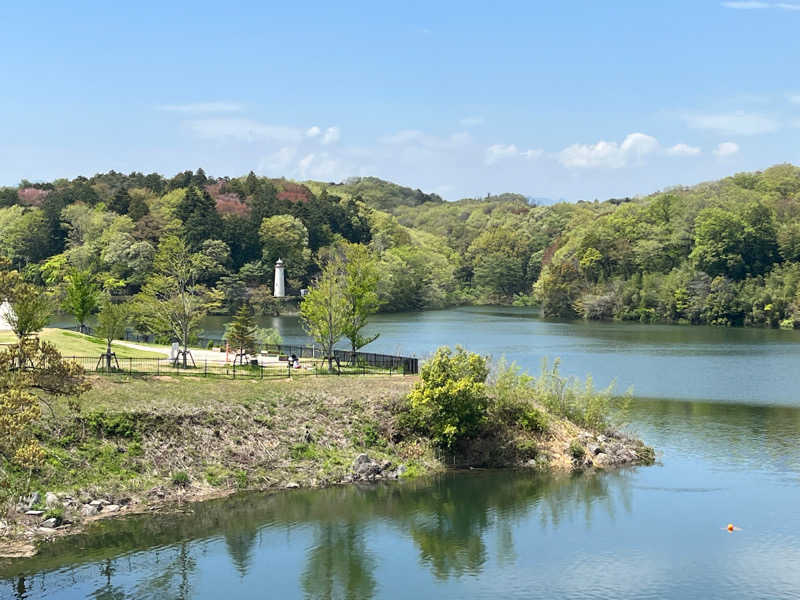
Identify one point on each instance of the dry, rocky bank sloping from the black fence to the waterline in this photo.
(144, 454)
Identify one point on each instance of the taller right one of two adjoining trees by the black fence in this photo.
(360, 275)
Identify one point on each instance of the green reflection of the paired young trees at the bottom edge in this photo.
(338, 564)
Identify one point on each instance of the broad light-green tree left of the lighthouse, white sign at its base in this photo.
(172, 303)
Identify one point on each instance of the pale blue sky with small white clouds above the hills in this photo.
(570, 99)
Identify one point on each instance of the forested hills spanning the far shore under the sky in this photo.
(724, 252)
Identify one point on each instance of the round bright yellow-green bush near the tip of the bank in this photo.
(450, 401)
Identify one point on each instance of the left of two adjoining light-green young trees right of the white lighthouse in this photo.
(324, 311)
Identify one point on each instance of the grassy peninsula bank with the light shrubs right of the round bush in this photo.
(139, 442)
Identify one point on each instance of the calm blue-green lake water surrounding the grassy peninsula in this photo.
(722, 407)
